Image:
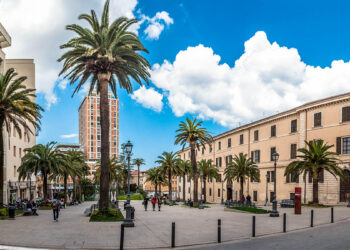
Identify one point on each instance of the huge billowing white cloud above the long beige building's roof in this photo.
(267, 78)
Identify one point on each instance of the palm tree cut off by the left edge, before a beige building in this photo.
(17, 108)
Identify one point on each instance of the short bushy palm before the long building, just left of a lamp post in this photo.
(241, 168)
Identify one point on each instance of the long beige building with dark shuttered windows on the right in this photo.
(327, 119)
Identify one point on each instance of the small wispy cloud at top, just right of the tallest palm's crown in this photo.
(156, 24)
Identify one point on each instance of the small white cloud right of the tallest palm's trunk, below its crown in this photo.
(149, 98)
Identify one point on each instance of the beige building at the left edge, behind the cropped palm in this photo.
(14, 145)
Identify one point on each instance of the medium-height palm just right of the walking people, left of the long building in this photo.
(169, 164)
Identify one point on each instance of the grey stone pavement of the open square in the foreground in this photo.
(152, 228)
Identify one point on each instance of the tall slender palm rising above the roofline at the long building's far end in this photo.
(191, 132)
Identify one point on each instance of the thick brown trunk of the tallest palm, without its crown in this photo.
(103, 79)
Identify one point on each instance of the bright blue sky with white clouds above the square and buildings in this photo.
(308, 36)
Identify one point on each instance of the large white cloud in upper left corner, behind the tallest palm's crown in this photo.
(37, 28)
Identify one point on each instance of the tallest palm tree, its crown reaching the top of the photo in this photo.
(103, 54)
